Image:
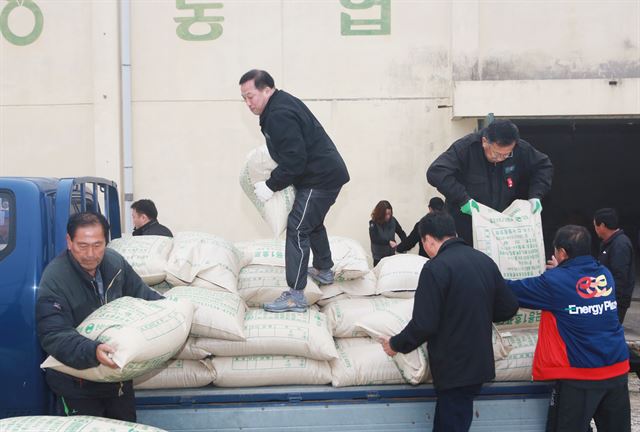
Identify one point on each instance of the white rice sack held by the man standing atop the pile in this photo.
(276, 210)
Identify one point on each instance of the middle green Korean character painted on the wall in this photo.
(185, 24)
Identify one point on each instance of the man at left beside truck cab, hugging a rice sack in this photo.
(76, 283)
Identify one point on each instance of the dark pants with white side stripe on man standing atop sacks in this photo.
(305, 230)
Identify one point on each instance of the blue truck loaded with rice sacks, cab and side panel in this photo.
(33, 217)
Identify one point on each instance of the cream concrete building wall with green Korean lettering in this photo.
(391, 102)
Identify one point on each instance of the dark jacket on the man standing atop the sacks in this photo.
(297, 142)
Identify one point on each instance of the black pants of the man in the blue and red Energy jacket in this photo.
(574, 403)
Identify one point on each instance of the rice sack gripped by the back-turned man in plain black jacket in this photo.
(414, 366)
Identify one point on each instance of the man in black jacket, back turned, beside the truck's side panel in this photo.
(460, 293)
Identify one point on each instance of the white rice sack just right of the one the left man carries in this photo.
(217, 314)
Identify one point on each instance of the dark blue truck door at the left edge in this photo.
(21, 262)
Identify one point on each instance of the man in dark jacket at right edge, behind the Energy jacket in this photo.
(616, 254)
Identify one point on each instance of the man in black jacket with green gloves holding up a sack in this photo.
(493, 167)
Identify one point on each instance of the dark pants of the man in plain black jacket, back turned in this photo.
(454, 408)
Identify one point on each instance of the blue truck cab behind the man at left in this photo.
(33, 221)
